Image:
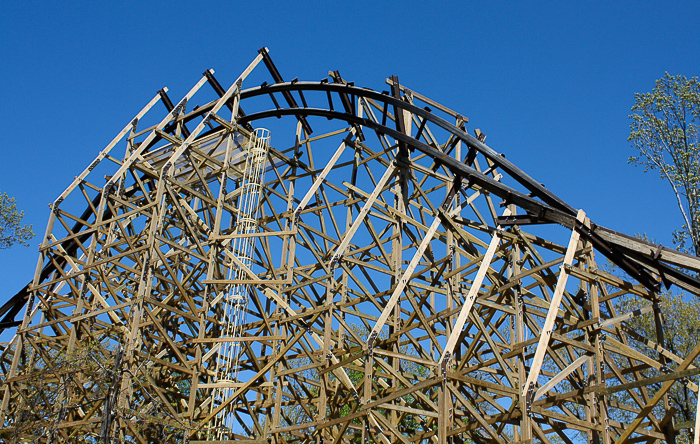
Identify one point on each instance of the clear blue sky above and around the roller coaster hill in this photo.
(550, 83)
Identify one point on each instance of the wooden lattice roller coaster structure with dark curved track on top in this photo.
(397, 292)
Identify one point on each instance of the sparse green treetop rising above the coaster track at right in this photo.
(664, 130)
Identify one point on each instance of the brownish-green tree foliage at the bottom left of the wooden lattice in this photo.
(64, 385)
